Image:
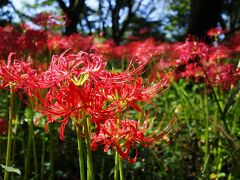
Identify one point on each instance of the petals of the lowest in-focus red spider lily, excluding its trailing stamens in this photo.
(122, 136)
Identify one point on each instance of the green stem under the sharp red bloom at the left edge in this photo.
(9, 142)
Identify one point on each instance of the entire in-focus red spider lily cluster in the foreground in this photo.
(77, 86)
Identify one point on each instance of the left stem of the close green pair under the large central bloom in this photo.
(80, 153)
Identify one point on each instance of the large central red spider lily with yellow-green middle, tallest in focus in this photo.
(65, 88)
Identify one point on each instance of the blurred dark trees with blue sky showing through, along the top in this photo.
(117, 19)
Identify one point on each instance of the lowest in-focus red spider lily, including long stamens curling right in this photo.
(123, 135)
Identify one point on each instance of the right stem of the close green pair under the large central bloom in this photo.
(89, 154)
